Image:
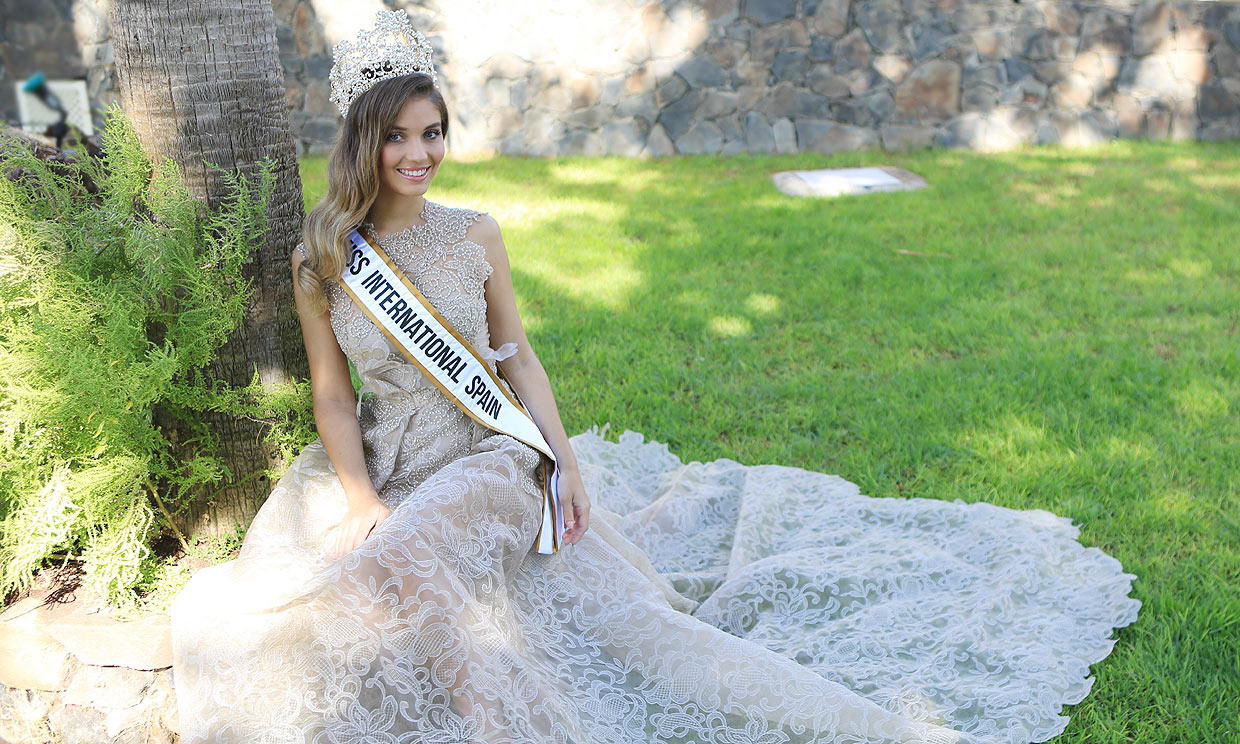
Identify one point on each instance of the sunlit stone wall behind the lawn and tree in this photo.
(638, 77)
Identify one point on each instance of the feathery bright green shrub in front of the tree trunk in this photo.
(112, 306)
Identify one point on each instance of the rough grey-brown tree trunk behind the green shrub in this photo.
(203, 82)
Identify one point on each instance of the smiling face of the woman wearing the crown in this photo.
(412, 151)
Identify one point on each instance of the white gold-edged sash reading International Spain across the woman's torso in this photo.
(448, 360)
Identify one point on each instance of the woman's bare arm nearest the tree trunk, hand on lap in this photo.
(335, 416)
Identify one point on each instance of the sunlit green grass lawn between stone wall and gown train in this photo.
(1063, 338)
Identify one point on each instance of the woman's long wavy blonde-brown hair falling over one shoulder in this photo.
(354, 180)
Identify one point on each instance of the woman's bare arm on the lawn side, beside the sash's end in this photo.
(529, 379)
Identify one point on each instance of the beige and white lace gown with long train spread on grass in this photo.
(709, 603)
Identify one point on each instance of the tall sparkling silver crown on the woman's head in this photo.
(391, 49)
